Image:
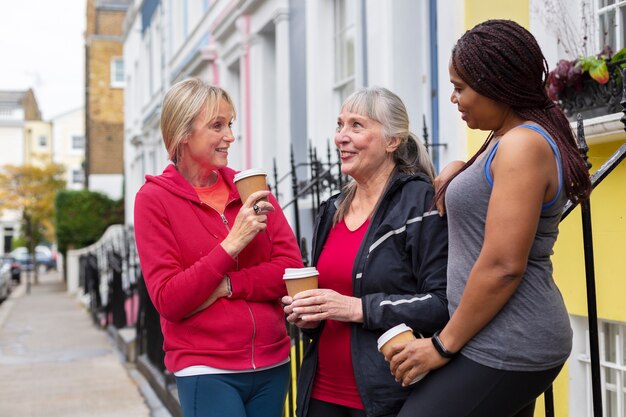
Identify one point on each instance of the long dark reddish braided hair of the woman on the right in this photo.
(501, 60)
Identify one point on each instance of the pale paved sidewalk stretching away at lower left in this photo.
(54, 362)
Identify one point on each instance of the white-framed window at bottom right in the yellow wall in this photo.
(612, 338)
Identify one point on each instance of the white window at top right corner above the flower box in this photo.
(612, 23)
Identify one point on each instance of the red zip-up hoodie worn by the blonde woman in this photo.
(178, 240)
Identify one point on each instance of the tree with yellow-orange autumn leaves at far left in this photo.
(31, 190)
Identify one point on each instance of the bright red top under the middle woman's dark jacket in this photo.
(334, 379)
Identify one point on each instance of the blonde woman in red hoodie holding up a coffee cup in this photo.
(213, 264)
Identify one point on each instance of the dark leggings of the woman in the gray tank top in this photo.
(464, 388)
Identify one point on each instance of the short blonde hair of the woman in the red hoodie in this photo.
(182, 104)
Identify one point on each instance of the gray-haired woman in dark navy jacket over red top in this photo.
(381, 252)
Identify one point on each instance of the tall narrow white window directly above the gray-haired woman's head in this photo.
(345, 36)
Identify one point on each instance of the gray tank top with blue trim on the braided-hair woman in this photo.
(532, 331)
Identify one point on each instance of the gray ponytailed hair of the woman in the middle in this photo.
(385, 107)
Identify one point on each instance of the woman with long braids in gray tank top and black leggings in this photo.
(509, 333)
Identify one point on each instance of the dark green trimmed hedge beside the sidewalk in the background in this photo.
(83, 216)
